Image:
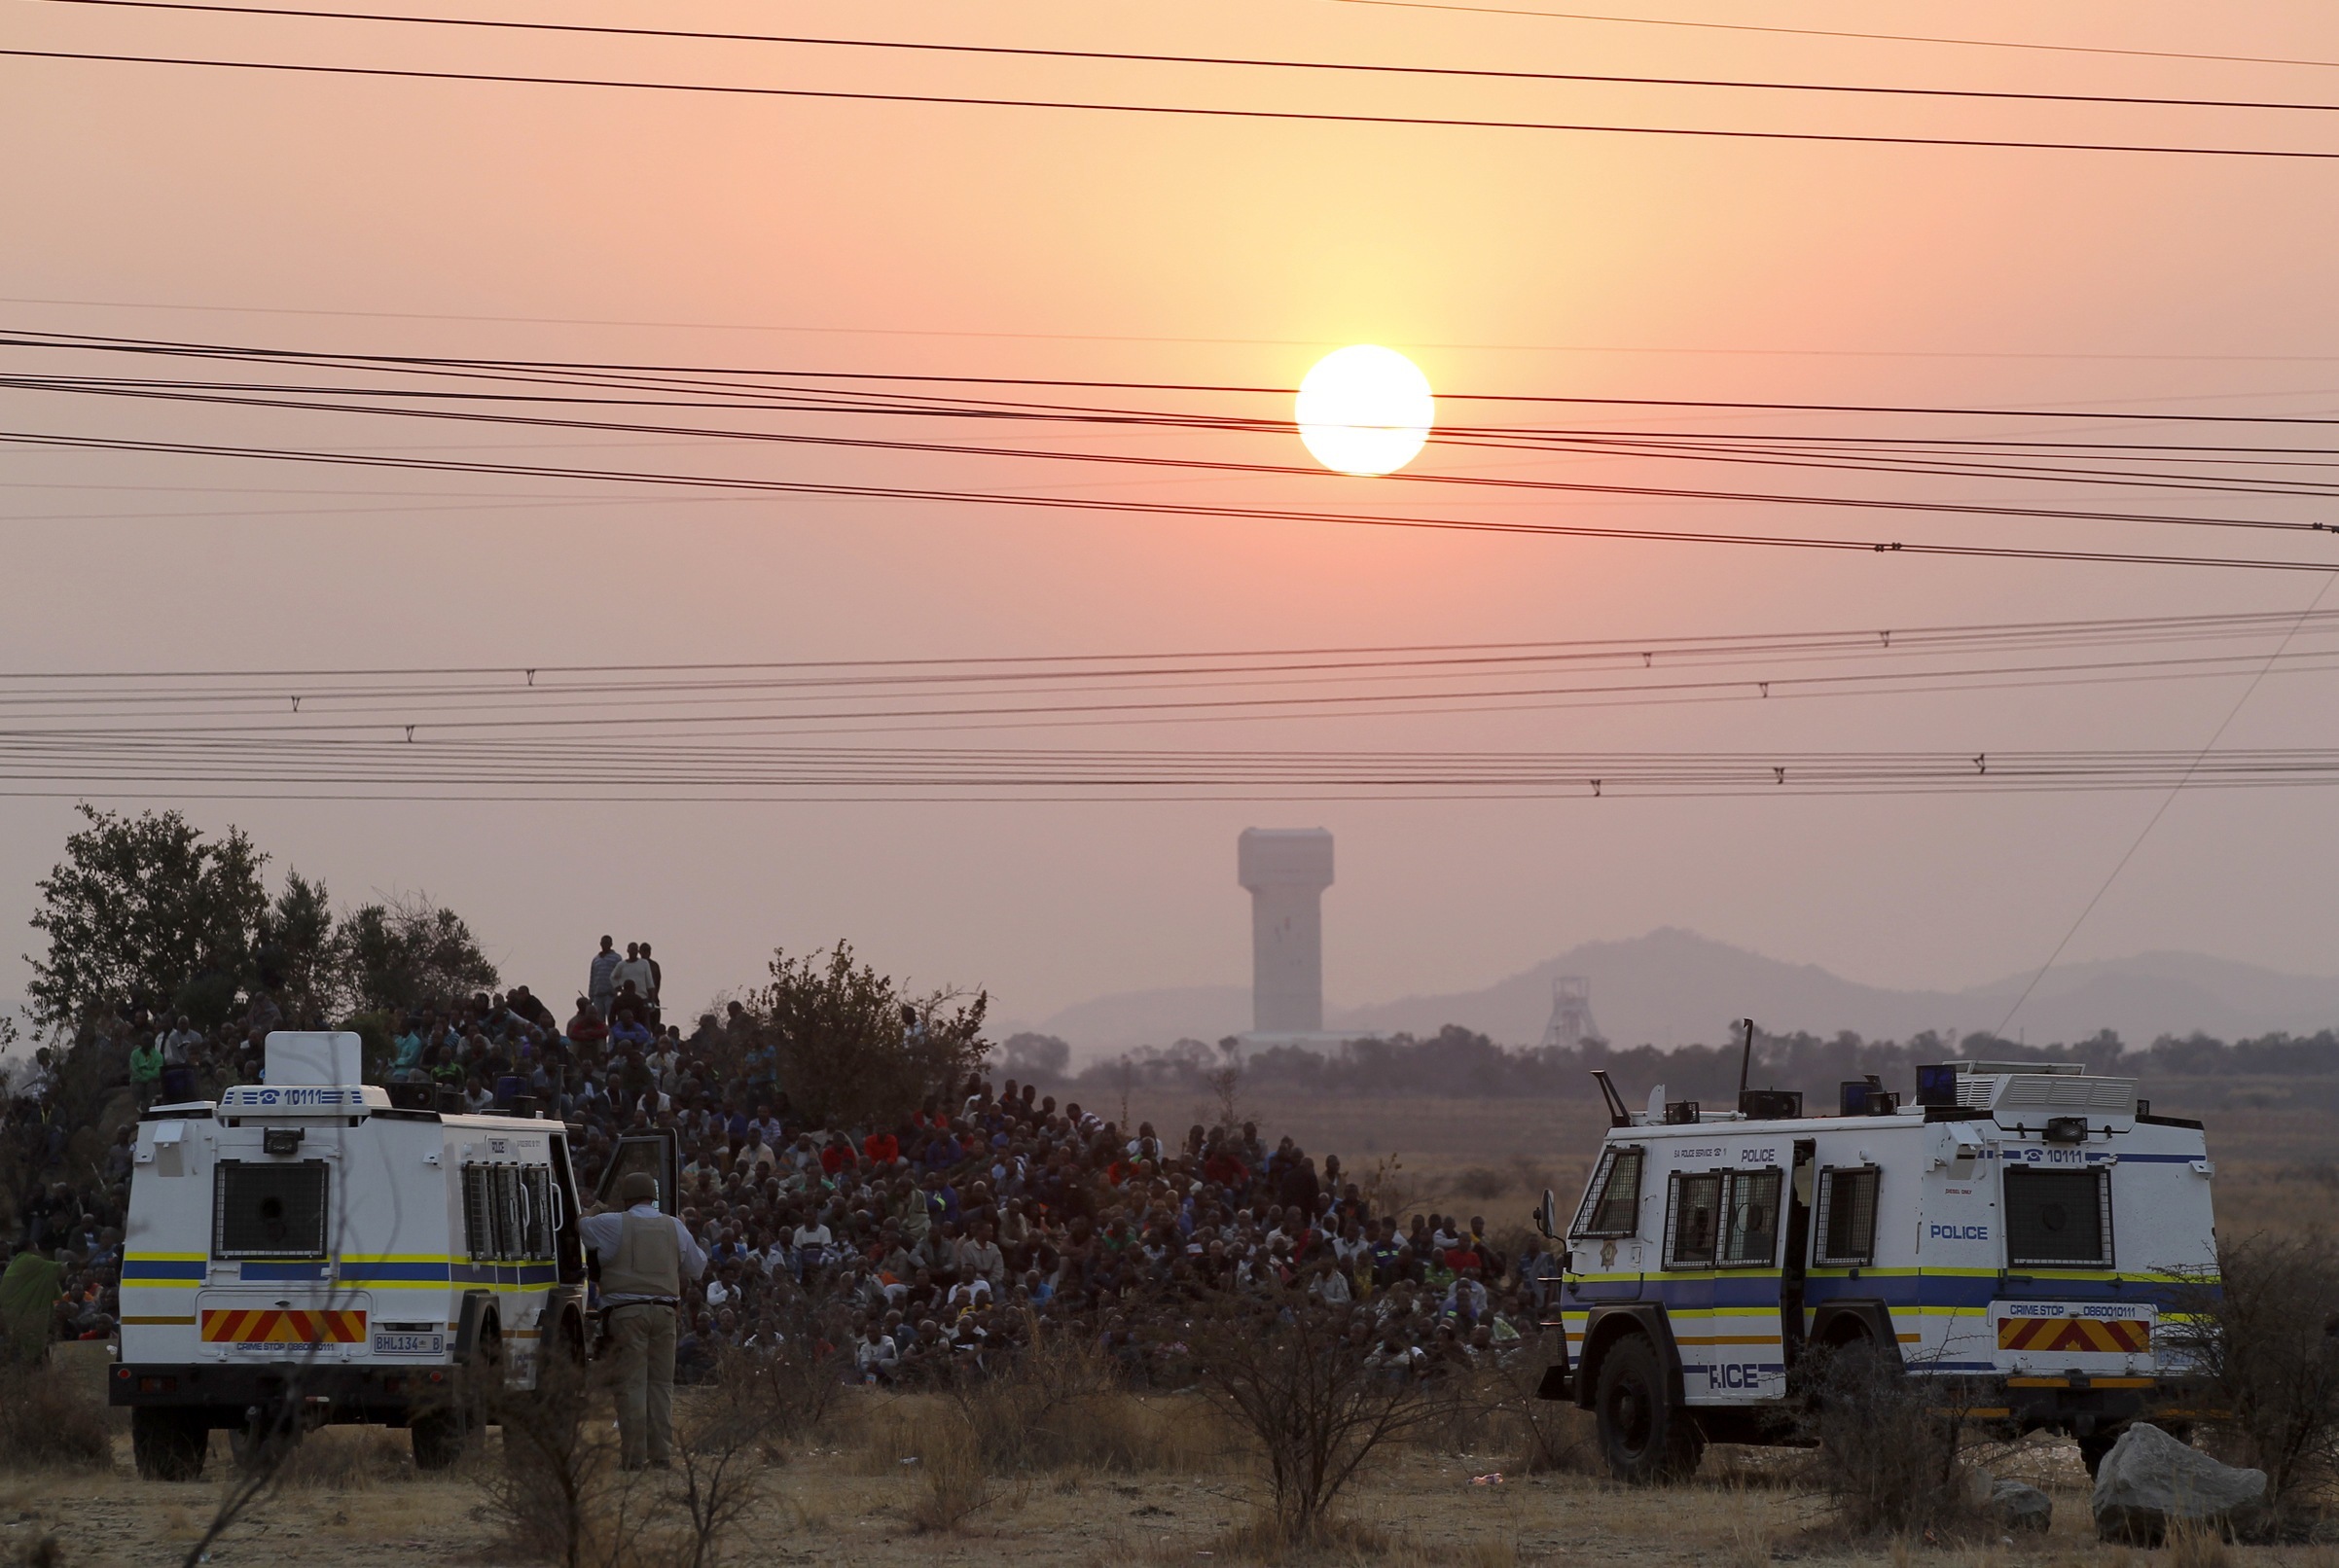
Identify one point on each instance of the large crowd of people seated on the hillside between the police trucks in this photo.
(916, 1249)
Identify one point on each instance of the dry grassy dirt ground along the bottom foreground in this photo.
(359, 1506)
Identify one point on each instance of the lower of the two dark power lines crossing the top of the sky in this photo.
(1171, 109)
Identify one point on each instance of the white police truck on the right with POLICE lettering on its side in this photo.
(2017, 1233)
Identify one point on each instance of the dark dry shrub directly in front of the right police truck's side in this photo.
(1889, 1448)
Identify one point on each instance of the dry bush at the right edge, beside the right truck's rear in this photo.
(2263, 1335)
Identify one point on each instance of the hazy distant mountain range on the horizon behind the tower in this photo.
(1676, 987)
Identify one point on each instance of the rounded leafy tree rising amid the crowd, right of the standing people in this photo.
(855, 1048)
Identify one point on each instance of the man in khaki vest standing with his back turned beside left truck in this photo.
(644, 1261)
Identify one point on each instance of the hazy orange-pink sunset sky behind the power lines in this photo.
(502, 221)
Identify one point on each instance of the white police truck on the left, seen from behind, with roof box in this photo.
(319, 1249)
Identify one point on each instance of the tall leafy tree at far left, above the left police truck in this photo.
(146, 910)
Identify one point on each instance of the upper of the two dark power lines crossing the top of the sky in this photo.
(1126, 57)
